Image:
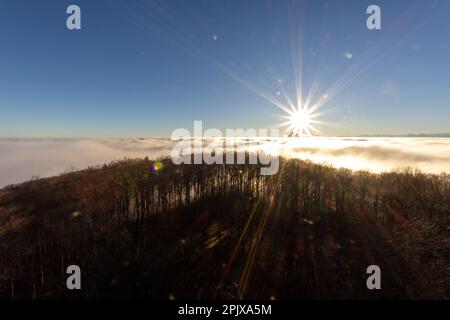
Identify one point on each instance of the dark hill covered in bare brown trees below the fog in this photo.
(140, 229)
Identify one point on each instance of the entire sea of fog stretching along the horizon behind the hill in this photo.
(22, 159)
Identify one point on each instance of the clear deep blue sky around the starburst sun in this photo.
(144, 68)
